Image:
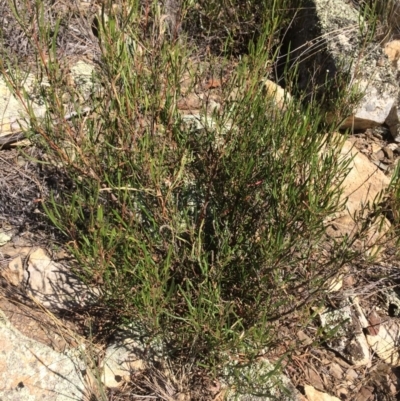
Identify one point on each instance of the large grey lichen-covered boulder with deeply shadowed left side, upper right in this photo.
(325, 38)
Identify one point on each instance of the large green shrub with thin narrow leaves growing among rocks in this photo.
(207, 230)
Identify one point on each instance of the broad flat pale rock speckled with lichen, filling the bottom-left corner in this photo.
(33, 371)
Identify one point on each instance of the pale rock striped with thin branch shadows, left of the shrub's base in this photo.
(53, 284)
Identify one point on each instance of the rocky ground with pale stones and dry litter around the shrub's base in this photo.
(361, 362)
